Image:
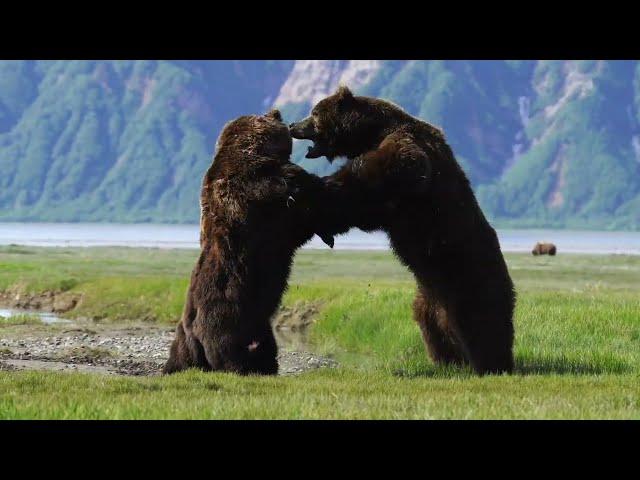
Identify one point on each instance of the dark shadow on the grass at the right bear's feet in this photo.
(524, 366)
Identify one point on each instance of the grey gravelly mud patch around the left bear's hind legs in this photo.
(59, 344)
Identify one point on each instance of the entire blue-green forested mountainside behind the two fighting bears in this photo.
(545, 143)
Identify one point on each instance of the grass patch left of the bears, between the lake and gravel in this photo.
(115, 283)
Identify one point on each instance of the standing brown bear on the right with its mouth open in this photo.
(402, 177)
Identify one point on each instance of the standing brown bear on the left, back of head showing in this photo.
(257, 208)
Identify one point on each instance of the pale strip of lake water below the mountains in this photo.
(187, 236)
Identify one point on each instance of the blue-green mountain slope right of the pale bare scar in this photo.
(545, 143)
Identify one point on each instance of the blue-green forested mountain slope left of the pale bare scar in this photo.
(123, 140)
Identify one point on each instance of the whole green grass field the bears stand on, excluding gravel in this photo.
(577, 342)
